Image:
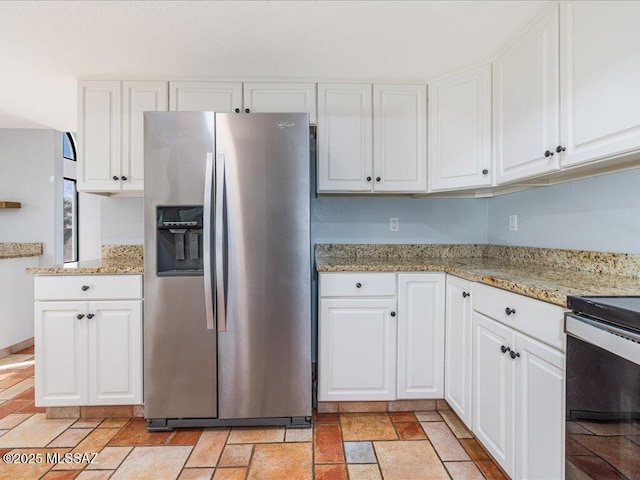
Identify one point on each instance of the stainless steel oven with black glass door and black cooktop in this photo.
(603, 388)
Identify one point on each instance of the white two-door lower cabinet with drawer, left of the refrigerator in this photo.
(87, 352)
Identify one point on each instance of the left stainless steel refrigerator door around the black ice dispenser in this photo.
(179, 350)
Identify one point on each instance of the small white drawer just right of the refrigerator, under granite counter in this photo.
(357, 284)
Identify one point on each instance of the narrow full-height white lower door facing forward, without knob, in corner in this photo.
(420, 335)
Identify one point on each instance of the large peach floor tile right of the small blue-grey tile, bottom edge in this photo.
(415, 460)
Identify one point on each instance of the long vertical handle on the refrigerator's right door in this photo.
(219, 247)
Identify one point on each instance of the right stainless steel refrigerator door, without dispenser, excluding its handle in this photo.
(264, 355)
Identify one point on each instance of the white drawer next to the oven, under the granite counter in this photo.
(536, 318)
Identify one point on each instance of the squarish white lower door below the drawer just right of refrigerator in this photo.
(357, 350)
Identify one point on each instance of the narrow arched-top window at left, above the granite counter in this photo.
(69, 200)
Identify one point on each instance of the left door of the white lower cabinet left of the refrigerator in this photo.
(60, 353)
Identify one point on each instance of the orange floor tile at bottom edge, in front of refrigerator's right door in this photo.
(291, 461)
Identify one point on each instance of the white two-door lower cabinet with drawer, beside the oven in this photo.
(518, 401)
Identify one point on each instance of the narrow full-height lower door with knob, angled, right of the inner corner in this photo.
(457, 363)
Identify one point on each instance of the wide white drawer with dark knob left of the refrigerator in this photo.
(87, 287)
